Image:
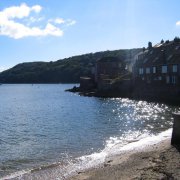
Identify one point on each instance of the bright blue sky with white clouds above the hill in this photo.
(49, 30)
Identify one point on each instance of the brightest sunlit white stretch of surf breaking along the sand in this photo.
(118, 146)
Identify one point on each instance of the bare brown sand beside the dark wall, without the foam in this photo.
(157, 161)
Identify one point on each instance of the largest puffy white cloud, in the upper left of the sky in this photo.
(9, 25)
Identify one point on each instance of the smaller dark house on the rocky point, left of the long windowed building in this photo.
(106, 69)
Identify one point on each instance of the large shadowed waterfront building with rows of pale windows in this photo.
(157, 71)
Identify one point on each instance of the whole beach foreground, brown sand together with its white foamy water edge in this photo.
(152, 157)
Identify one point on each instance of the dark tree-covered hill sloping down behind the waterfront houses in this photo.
(67, 70)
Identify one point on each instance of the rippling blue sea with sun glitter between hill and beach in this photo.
(43, 124)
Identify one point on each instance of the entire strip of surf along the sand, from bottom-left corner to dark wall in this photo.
(114, 146)
